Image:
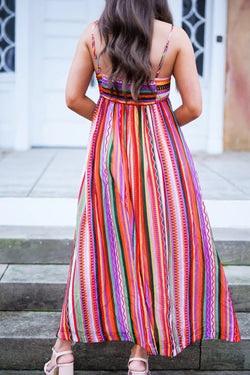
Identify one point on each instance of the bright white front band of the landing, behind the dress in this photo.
(48, 212)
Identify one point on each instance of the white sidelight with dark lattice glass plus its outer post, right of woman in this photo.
(205, 23)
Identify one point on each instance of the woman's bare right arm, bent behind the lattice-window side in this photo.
(187, 80)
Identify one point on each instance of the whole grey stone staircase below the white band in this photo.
(33, 273)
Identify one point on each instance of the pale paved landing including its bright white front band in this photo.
(40, 186)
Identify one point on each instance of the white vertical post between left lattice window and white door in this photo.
(22, 66)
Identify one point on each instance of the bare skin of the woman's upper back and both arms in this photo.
(179, 61)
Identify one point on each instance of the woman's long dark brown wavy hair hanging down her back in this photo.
(127, 26)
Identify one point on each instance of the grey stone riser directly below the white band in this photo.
(57, 251)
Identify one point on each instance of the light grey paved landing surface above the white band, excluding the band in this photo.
(57, 173)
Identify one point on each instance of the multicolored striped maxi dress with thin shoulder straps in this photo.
(144, 267)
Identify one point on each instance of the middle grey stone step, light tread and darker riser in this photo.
(42, 287)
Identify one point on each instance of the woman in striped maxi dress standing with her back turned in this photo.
(144, 267)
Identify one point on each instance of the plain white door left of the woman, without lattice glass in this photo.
(56, 27)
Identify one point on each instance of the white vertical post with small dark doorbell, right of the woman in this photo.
(217, 76)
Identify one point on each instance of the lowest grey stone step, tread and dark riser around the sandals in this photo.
(26, 339)
